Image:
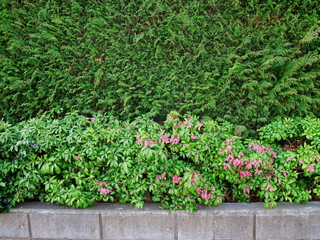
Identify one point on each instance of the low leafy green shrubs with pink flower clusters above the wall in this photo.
(181, 163)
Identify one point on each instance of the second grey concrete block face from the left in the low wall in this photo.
(62, 225)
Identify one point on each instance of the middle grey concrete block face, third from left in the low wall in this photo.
(138, 226)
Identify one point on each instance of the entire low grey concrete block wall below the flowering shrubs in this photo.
(119, 221)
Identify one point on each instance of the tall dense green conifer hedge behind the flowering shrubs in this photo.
(242, 61)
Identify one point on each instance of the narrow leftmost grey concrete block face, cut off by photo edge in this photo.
(13, 225)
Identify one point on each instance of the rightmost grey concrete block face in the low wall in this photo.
(287, 226)
